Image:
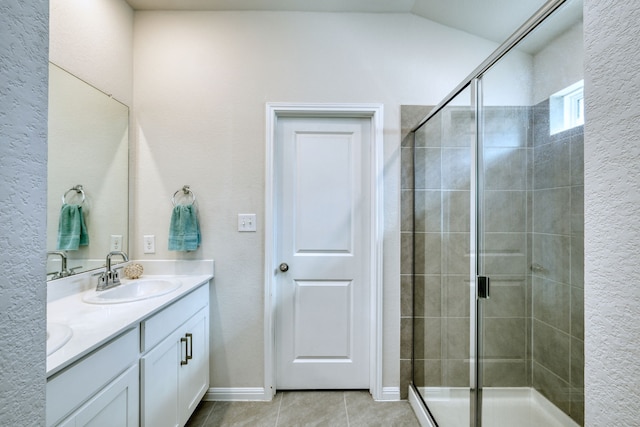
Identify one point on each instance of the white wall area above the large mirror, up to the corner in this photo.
(93, 41)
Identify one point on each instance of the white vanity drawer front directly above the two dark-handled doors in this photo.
(160, 325)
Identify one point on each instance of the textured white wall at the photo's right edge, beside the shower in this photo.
(612, 213)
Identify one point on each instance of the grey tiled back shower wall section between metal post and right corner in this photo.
(505, 224)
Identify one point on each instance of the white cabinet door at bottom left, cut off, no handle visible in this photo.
(115, 405)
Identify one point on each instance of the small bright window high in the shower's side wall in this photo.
(566, 108)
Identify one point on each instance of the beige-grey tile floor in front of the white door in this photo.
(306, 409)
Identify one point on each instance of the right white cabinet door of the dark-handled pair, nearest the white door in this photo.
(194, 375)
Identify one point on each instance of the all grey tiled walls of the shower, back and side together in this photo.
(529, 222)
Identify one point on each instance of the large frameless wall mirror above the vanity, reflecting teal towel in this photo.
(88, 175)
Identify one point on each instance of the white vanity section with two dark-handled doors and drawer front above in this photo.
(174, 367)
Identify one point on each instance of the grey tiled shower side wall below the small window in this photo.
(558, 264)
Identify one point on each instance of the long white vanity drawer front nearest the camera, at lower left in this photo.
(70, 388)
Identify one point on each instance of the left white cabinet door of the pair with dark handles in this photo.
(159, 382)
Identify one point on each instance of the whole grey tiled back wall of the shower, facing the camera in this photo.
(442, 216)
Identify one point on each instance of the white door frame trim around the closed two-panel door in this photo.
(373, 112)
